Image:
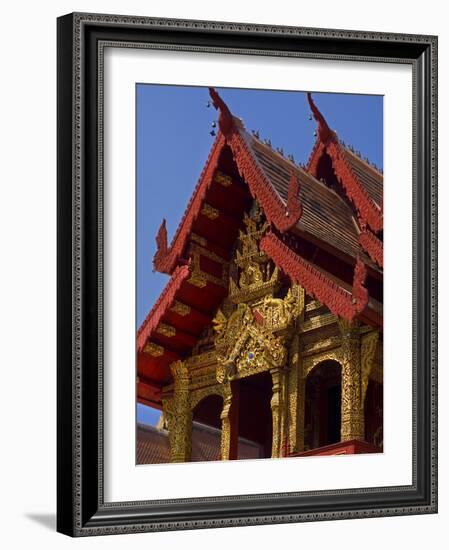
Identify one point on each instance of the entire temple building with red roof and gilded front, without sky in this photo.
(266, 340)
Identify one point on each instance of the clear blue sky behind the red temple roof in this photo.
(173, 142)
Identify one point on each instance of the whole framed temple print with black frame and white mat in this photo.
(229, 350)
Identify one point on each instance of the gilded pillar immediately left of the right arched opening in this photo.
(296, 399)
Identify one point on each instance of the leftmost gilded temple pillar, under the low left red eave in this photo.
(179, 415)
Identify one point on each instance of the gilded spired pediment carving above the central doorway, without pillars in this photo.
(251, 338)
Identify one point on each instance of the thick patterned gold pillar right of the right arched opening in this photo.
(352, 417)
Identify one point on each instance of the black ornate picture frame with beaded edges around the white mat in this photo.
(81, 509)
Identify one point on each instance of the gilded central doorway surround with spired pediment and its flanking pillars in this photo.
(251, 338)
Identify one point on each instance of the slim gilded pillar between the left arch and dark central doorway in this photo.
(230, 422)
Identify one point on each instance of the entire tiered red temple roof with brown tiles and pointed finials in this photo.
(325, 232)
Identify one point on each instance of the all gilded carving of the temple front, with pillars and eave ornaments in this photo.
(259, 328)
